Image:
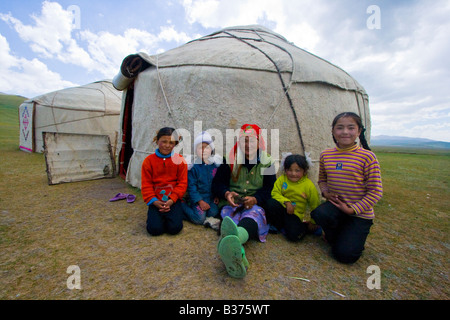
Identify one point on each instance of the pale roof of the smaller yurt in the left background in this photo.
(98, 96)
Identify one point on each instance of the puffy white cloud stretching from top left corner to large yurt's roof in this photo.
(53, 36)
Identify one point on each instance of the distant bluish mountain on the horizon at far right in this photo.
(389, 141)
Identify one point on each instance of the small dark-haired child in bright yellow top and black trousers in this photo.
(292, 194)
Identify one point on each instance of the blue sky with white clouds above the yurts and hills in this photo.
(398, 50)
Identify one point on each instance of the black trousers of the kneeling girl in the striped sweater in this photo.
(346, 234)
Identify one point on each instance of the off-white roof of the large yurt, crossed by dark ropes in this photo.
(256, 48)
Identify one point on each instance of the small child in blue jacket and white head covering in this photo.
(200, 202)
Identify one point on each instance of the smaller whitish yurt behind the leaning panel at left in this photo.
(89, 109)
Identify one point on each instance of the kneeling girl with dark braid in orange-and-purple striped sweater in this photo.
(350, 180)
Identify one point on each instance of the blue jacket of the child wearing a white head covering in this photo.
(200, 178)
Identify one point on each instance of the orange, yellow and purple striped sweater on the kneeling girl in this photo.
(354, 174)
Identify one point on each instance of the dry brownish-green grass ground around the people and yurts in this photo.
(45, 229)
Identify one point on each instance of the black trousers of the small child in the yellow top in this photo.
(277, 216)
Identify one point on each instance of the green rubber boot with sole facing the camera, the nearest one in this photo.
(232, 254)
